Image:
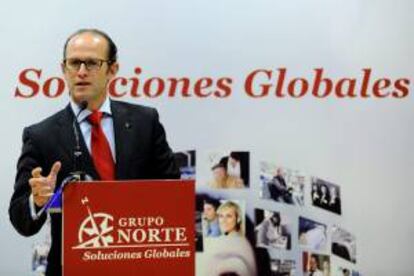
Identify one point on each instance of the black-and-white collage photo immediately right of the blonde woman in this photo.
(270, 231)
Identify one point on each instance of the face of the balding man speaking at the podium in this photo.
(84, 84)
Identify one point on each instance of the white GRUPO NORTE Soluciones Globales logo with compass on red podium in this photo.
(103, 237)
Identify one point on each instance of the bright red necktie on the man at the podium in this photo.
(101, 151)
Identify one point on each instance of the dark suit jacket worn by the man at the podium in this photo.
(142, 152)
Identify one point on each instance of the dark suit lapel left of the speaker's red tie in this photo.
(67, 137)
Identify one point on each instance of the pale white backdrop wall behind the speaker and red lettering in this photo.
(364, 145)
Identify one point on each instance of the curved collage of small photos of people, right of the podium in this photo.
(262, 219)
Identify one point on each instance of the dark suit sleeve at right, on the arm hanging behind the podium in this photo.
(163, 162)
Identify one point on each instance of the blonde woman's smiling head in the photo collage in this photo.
(230, 218)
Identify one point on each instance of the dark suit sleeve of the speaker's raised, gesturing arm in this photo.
(19, 209)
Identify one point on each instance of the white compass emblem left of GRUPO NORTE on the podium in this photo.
(95, 230)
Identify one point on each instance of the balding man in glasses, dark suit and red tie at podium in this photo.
(127, 141)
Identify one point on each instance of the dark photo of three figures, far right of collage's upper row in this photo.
(326, 195)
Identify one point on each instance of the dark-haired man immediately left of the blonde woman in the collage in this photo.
(211, 226)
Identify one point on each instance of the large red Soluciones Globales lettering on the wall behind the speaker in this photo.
(259, 83)
